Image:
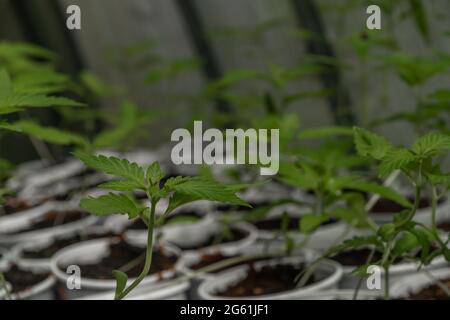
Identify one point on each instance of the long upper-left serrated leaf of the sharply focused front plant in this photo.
(115, 166)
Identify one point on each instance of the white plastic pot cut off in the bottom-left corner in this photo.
(40, 291)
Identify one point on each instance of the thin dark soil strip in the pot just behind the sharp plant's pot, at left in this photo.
(60, 243)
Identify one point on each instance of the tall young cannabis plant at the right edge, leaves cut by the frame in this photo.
(404, 235)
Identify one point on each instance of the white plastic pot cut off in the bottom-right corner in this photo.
(416, 282)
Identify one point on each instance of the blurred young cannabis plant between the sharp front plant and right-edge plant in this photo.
(330, 173)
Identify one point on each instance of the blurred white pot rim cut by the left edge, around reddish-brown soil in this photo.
(24, 219)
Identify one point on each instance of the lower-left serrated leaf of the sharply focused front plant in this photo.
(112, 204)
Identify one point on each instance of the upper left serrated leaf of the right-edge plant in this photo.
(370, 144)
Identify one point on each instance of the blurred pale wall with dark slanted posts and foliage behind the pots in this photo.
(231, 63)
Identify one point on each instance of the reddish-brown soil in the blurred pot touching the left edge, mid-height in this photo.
(52, 219)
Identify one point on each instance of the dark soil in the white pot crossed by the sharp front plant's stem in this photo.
(122, 254)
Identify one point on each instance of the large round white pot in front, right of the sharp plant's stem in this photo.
(330, 272)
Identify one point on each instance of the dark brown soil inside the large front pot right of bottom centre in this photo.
(267, 280)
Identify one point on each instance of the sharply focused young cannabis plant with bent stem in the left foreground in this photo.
(179, 190)
